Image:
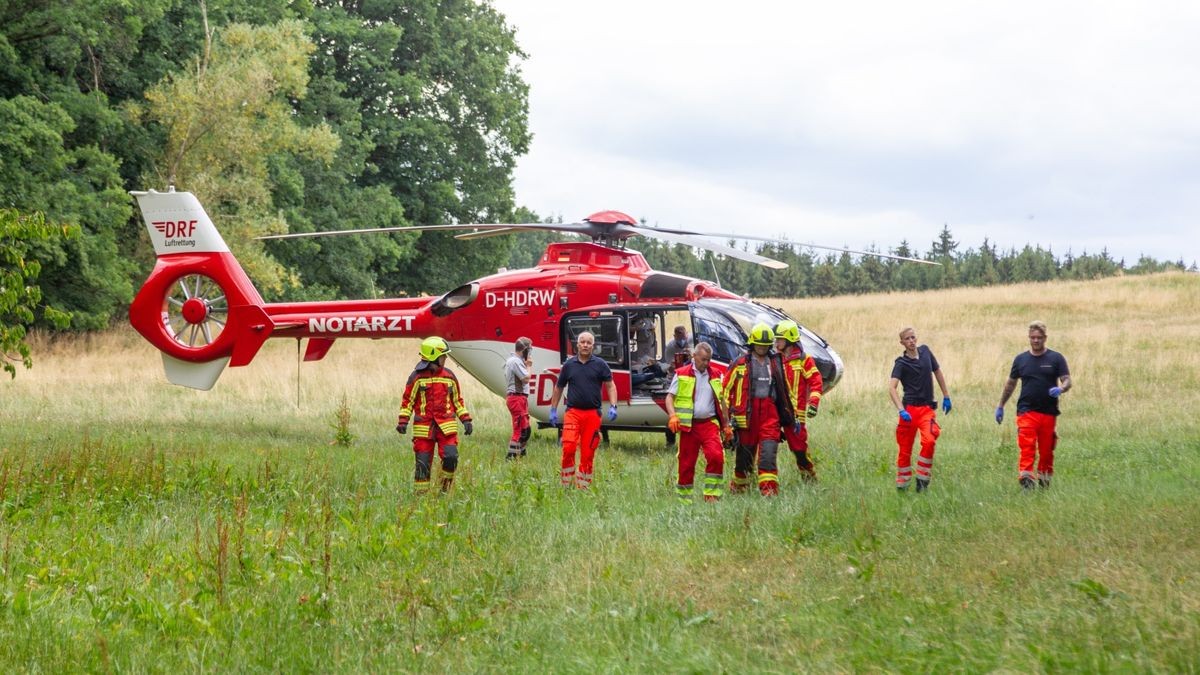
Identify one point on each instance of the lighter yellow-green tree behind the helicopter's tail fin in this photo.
(225, 120)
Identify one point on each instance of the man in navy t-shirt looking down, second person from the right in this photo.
(916, 371)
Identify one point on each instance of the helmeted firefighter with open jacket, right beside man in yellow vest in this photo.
(757, 395)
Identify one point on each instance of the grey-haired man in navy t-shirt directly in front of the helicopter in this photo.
(583, 377)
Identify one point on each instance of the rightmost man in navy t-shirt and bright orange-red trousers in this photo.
(1045, 378)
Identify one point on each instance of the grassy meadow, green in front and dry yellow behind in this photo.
(146, 527)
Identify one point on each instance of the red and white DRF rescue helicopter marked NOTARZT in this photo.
(203, 313)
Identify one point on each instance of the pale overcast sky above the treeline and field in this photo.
(1072, 126)
